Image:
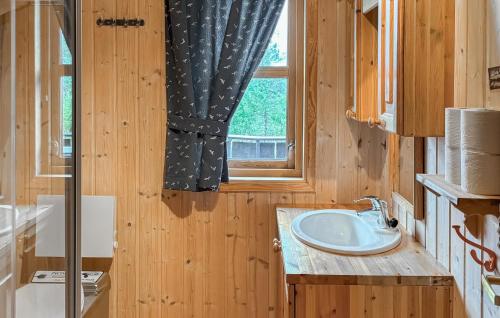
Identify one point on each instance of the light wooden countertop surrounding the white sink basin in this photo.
(408, 264)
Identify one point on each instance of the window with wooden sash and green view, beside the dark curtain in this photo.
(265, 134)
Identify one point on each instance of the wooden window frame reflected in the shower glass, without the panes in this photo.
(48, 139)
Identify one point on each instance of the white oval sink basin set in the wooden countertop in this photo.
(344, 232)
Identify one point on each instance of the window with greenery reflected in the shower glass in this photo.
(53, 93)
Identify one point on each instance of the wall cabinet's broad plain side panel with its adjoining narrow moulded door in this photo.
(416, 65)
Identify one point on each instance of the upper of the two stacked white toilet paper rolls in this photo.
(480, 130)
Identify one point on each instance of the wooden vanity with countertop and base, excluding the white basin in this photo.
(404, 282)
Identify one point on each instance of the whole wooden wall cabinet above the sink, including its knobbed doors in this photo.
(404, 65)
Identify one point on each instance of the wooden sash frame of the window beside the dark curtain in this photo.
(294, 72)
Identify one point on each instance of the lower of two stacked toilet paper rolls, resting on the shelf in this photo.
(480, 173)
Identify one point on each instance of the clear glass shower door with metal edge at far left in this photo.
(39, 175)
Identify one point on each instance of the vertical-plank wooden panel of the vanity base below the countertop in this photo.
(312, 301)
